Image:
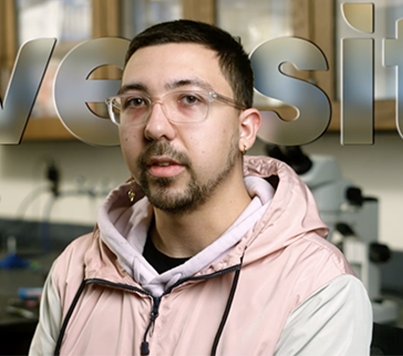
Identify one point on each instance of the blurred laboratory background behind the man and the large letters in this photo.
(52, 183)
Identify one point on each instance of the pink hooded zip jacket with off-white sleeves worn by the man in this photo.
(271, 285)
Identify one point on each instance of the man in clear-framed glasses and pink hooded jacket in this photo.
(225, 254)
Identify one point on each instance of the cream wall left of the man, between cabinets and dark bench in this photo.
(23, 171)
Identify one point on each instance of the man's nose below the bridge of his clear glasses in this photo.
(158, 126)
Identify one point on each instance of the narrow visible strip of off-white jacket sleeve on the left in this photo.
(47, 330)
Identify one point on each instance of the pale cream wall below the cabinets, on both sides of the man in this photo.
(377, 169)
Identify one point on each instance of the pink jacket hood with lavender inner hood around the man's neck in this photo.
(282, 207)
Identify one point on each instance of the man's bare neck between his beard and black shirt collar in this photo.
(186, 235)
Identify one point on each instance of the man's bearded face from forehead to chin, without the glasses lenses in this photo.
(180, 166)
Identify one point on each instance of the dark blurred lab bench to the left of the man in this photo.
(38, 244)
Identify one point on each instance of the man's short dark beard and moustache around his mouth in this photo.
(194, 194)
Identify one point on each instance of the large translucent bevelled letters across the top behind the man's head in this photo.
(73, 90)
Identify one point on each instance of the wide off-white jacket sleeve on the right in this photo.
(336, 320)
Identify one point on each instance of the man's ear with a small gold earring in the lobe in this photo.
(249, 123)
